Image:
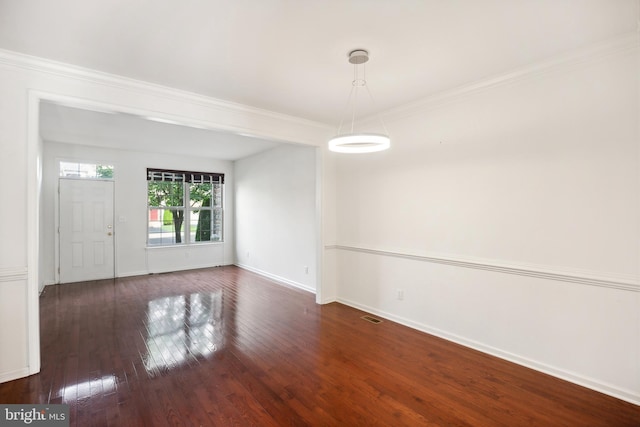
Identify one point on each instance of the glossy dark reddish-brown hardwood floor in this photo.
(223, 346)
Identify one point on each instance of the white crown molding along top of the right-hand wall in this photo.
(629, 42)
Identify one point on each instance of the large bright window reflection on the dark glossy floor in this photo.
(181, 329)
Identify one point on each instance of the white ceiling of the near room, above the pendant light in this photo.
(289, 56)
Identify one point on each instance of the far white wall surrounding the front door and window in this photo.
(132, 255)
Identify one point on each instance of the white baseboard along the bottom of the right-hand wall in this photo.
(593, 384)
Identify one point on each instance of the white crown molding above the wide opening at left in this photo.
(47, 66)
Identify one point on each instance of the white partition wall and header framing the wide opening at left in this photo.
(24, 81)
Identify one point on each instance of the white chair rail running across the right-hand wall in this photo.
(538, 271)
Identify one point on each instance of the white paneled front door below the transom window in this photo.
(86, 230)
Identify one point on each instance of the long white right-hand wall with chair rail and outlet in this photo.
(509, 217)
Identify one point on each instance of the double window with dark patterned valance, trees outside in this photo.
(183, 200)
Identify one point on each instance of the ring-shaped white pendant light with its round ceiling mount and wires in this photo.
(359, 142)
